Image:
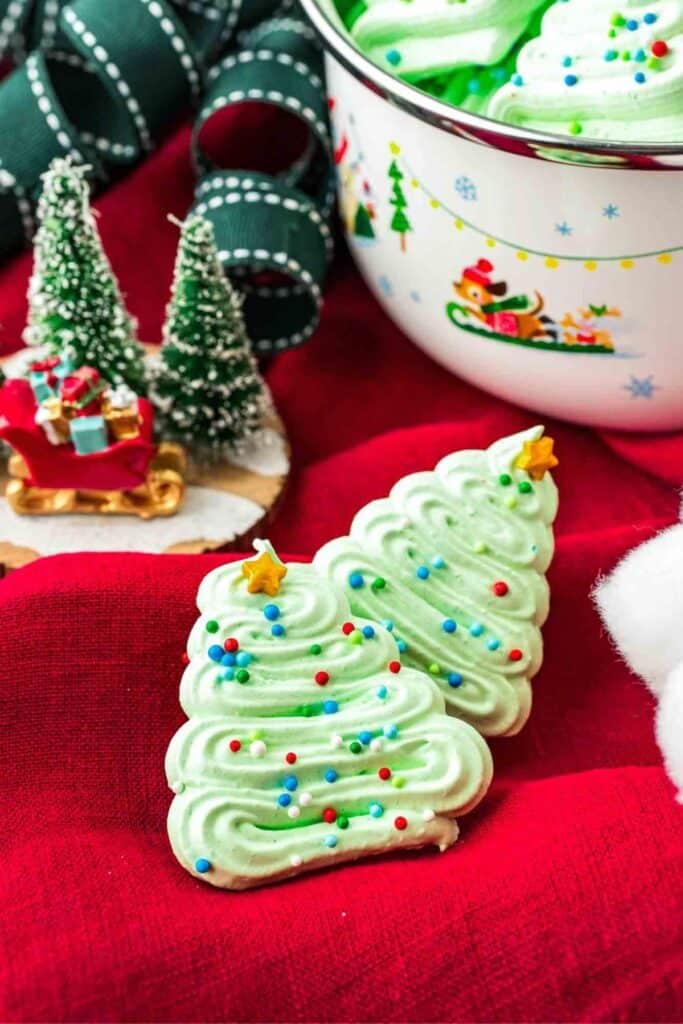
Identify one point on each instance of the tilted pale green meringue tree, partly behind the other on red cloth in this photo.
(454, 564)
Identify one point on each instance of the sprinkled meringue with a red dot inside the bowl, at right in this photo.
(602, 70)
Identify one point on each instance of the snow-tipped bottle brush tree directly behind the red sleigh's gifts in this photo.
(75, 304)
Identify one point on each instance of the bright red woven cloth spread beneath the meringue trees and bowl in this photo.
(562, 903)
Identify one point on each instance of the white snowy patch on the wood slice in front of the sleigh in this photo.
(211, 516)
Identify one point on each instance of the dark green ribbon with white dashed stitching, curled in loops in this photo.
(107, 82)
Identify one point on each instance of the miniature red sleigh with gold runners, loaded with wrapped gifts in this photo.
(80, 447)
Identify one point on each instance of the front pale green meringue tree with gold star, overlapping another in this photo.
(308, 744)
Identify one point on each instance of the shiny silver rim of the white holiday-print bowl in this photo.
(495, 134)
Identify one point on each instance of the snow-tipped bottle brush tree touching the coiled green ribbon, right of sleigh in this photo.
(207, 385)
